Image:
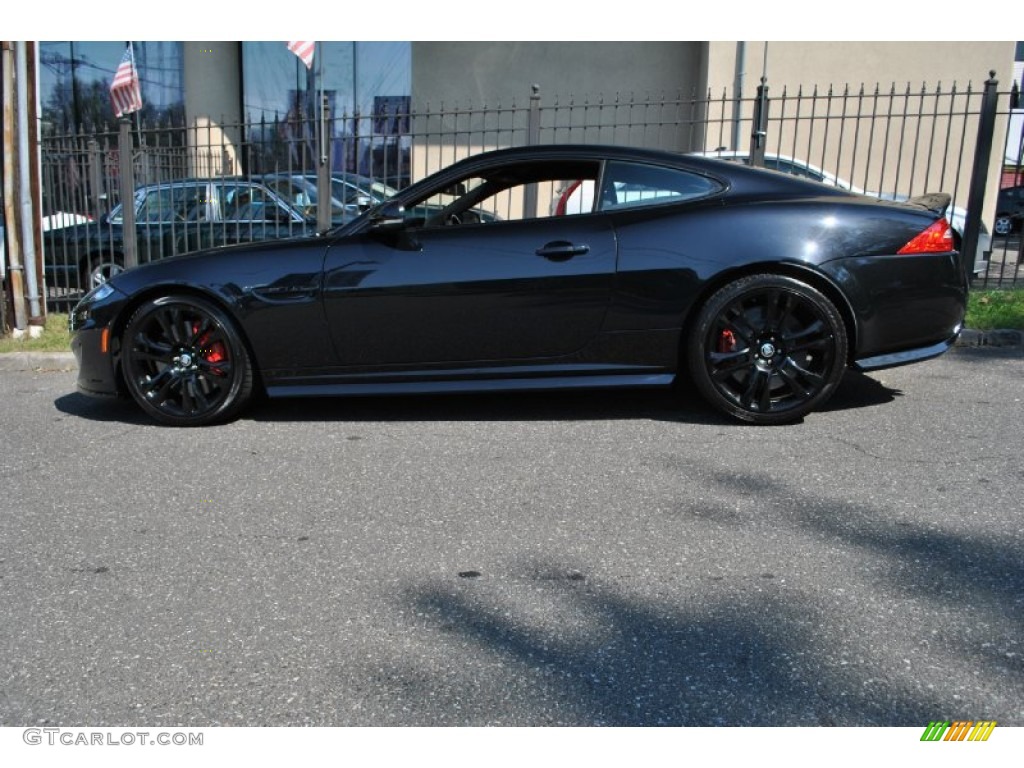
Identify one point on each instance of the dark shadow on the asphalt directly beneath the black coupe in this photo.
(680, 404)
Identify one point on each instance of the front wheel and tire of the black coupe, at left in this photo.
(185, 363)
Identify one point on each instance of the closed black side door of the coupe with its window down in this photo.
(456, 286)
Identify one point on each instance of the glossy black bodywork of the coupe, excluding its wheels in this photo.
(599, 300)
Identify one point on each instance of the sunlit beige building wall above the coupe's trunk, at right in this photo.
(863, 144)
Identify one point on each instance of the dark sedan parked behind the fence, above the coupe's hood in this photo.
(170, 219)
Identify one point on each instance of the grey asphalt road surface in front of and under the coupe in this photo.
(623, 559)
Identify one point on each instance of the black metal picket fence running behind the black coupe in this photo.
(886, 142)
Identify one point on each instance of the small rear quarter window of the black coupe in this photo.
(631, 185)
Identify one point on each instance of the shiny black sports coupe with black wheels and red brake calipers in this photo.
(762, 287)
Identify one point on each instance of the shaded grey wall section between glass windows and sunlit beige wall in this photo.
(485, 90)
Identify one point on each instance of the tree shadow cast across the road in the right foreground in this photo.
(742, 654)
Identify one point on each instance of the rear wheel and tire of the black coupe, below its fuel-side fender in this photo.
(767, 350)
